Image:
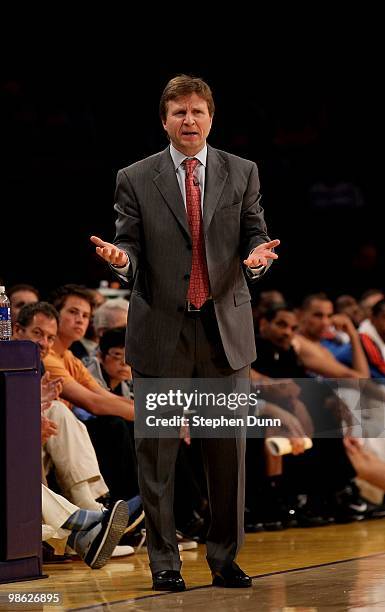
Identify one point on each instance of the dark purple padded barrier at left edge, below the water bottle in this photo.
(20, 462)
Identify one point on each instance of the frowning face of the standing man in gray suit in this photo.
(188, 123)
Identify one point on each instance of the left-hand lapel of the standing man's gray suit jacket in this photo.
(167, 183)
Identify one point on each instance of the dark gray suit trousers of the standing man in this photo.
(199, 354)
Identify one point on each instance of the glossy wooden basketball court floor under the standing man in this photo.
(328, 568)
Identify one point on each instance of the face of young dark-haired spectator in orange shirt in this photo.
(74, 318)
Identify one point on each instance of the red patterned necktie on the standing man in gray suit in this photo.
(199, 287)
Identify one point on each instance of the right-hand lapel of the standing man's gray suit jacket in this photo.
(215, 180)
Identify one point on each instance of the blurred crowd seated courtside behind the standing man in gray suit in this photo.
(320, 370)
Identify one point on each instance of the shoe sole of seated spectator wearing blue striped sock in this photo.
(110, 538)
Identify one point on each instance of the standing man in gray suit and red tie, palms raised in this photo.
(189, 227)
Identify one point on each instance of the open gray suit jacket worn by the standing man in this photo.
(152, 228)
